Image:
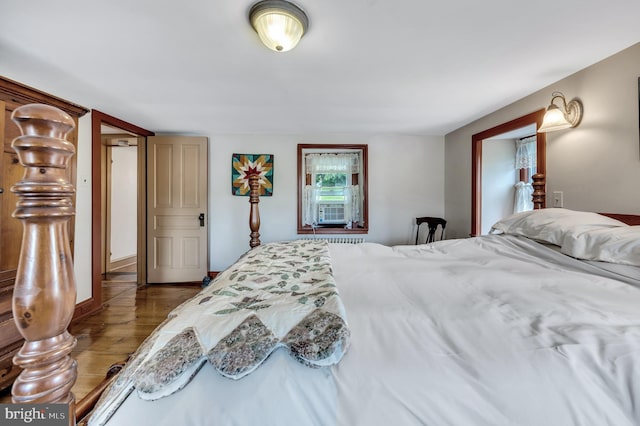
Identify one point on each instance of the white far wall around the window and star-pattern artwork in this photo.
(406, 180)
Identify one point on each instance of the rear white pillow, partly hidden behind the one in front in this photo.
(551, 225)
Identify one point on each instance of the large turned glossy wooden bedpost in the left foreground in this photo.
(45, 288)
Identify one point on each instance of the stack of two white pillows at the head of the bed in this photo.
(583, 235)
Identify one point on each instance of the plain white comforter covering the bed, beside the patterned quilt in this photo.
(495, 330)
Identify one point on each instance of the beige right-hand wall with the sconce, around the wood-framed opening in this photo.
(596, 165)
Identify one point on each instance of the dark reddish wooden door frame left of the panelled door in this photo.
(97, 120)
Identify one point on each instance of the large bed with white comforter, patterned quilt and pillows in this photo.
(537, 323)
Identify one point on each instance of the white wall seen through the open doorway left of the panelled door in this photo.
(124, 202)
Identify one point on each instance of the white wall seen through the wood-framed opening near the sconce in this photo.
(498, 180)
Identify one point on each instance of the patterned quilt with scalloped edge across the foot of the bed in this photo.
(276, 295)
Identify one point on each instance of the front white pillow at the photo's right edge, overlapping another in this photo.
(619, 245)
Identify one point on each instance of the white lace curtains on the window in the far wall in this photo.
(341, 162)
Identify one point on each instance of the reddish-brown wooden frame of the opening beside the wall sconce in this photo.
(476, 159)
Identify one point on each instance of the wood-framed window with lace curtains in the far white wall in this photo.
(332, 189)
